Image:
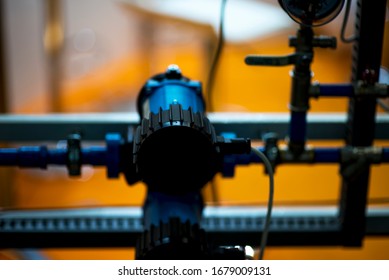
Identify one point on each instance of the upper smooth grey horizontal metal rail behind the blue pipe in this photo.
(94, 127)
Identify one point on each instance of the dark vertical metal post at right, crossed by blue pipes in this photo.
(369, 28)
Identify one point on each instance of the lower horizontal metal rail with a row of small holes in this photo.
(121, 226)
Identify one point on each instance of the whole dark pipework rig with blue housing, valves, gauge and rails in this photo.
(176, 148)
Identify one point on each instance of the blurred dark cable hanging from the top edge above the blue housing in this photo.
(216, 57)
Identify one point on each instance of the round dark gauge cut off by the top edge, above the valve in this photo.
(314, 12)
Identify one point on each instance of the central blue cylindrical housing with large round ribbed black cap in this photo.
(167, 165)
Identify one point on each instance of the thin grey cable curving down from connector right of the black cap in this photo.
(266, 227)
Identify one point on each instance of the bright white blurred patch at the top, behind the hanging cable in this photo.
(244, 19)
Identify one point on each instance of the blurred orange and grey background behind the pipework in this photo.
(105, 50)
